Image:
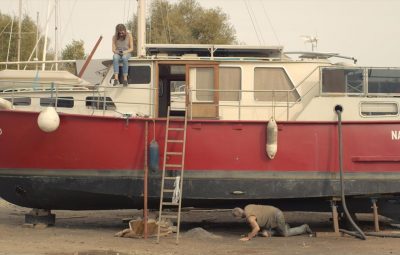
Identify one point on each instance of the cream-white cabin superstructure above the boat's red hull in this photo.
(219, 82)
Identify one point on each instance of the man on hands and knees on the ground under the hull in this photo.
(269, 219)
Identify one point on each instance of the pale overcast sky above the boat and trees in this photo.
(364, 29)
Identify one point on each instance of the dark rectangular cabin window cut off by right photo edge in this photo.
(383, 80)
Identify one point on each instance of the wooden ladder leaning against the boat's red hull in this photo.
(174, 134)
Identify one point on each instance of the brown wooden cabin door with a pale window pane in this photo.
(203, 91)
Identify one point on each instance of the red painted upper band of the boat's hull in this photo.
(103, 143)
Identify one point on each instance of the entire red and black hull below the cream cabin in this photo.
(97, 162)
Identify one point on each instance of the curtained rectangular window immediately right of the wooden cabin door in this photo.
(230, 79)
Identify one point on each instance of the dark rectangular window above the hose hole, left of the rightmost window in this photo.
(342, 81)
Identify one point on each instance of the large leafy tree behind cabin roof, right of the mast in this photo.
(187, 22)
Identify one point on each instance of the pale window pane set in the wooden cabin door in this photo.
(205, 84)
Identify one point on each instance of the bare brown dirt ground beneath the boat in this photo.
(92, 232)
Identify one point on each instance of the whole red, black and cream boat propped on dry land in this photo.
(263, 127)
